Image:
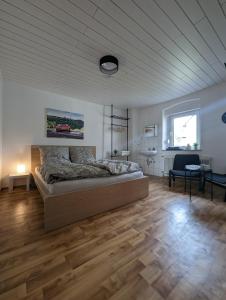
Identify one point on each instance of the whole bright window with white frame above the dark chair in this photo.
(183, 129)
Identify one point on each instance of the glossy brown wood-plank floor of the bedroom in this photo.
(162, 247)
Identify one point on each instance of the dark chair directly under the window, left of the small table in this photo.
(180, 161)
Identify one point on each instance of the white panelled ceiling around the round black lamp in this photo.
(166, 48)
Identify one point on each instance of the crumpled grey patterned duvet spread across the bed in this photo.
(55, 169)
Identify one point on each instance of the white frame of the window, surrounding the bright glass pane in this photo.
(170, 126)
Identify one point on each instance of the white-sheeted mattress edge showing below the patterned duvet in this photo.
(82, 184)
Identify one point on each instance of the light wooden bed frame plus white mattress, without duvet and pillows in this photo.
(70, 201)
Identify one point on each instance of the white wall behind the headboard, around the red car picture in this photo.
(24, 123)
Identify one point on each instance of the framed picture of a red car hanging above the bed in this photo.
(62, 124)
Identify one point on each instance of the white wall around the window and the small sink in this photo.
(212, 102)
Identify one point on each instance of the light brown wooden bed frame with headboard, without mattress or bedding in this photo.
(60, 210)
